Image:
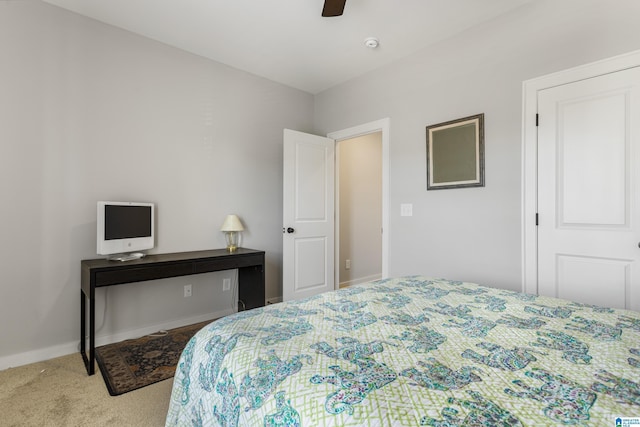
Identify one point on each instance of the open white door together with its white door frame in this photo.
(310, 252)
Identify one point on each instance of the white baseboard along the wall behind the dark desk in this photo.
(39, 355)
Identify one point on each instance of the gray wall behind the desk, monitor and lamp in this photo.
(89, 112)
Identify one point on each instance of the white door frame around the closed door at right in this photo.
(530, 89)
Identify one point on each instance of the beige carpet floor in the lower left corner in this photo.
(58, 392)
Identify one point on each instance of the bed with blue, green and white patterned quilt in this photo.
(412, 351)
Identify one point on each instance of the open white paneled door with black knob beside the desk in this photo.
(308, 215)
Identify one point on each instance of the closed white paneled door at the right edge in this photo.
(589, 190)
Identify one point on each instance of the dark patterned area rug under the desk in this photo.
(136, 363)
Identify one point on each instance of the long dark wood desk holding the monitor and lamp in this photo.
(102, 272)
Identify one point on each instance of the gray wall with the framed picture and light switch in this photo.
(473, 234)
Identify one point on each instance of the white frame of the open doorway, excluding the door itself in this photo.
(382, 126)
